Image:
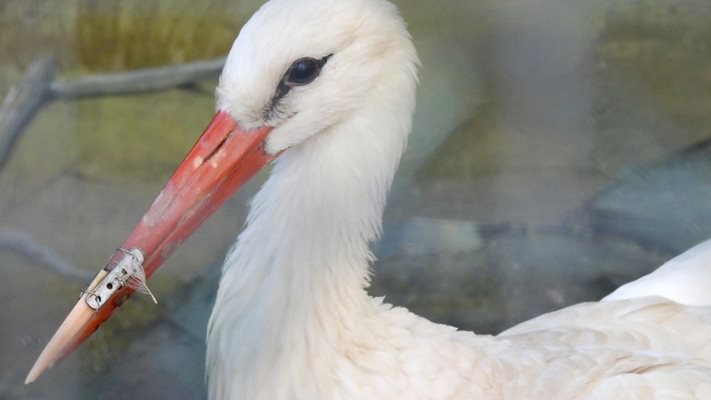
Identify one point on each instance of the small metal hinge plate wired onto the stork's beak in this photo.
(128, 271)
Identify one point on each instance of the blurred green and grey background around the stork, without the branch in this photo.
(561, 148)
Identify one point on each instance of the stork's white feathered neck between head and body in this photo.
(292, 295)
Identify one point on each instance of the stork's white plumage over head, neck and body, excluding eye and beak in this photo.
(292, 319)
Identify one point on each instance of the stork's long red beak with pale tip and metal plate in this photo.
(222, 160)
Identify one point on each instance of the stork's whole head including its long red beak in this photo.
(297, 69)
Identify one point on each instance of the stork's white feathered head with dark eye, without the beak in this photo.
(300, 67)
